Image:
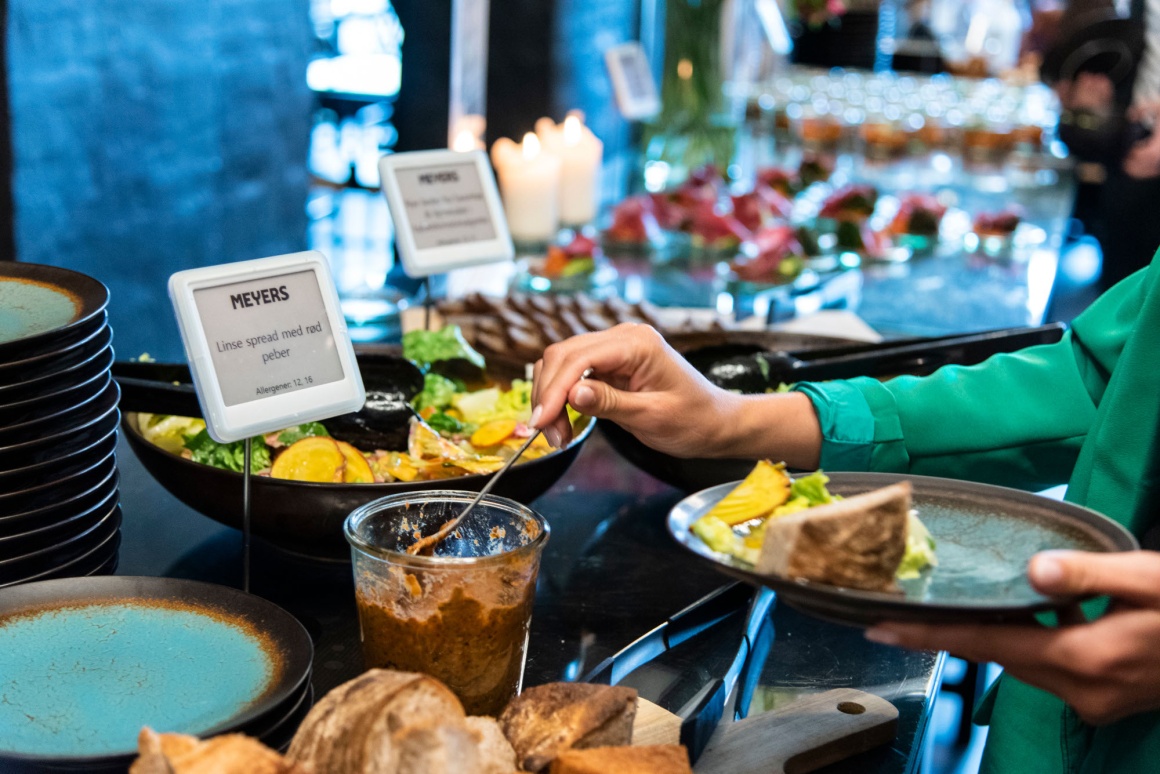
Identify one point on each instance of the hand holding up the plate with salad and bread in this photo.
(1106, 670)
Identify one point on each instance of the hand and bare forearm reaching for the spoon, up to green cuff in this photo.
(647, 388)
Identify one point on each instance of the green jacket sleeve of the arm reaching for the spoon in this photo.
(1018, 419)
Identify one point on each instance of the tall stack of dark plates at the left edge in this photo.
(60, 513)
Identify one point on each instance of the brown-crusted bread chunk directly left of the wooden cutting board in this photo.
(545, 721)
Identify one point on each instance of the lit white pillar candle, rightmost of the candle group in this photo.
(581, 156)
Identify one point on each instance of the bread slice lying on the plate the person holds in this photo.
(857, 544)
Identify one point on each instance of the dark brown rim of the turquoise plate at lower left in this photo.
(289, 638)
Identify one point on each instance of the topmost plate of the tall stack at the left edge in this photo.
(45, 306)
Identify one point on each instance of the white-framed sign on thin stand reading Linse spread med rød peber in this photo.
(269, 349)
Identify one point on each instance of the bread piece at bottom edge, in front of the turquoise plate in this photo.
(234, 754)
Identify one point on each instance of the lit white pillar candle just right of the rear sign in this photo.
(530, 185)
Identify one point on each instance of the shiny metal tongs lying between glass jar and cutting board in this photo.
(704, 713)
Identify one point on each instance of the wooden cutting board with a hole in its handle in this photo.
(804, 736)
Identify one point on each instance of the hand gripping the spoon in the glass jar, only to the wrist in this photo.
(637, 381)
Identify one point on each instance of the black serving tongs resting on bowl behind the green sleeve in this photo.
(758, 372)
